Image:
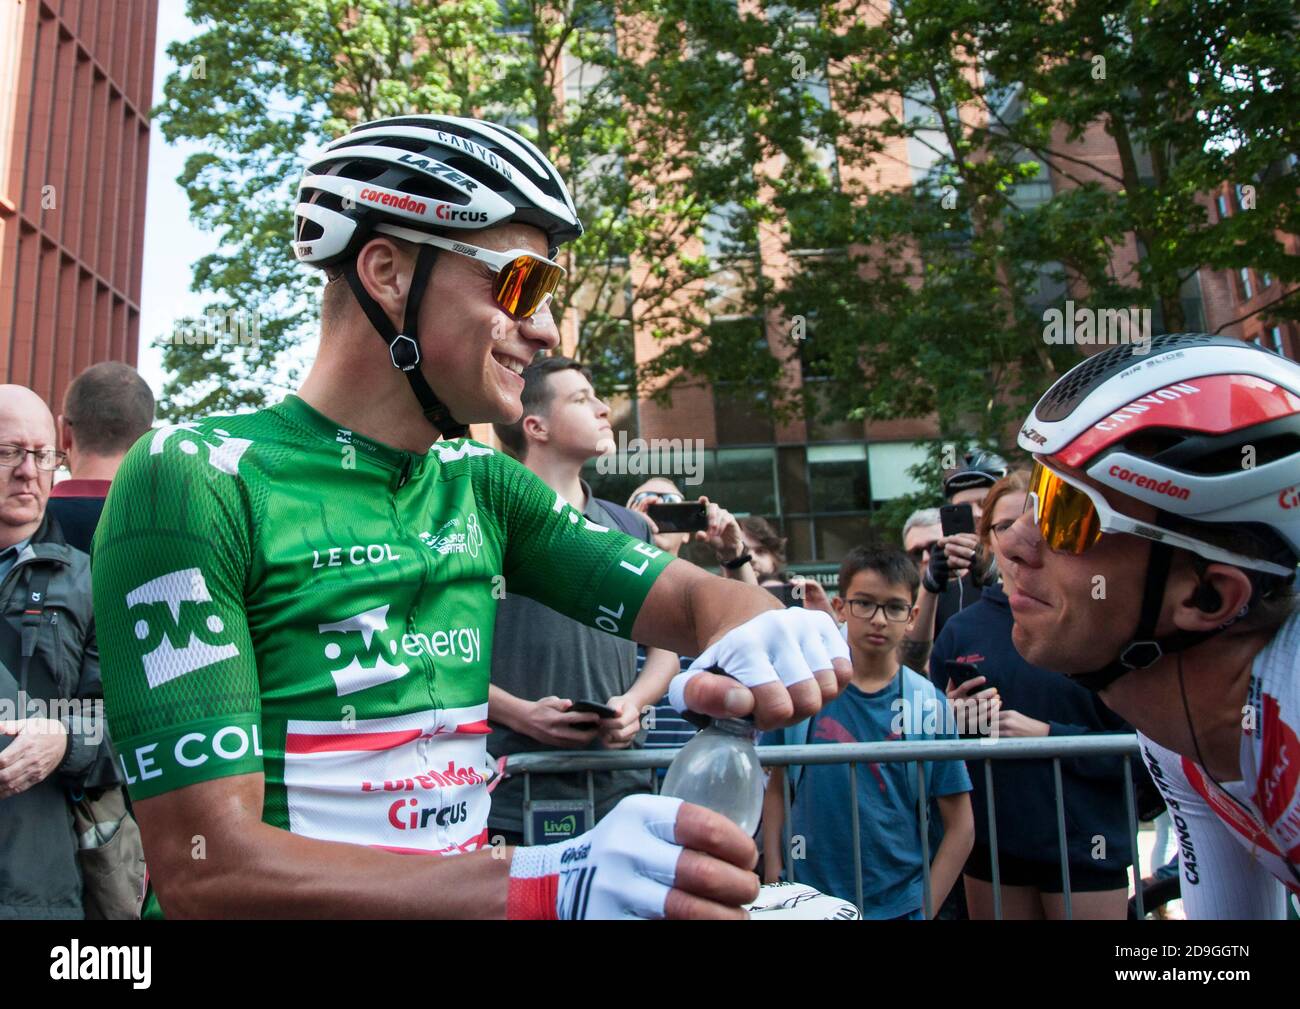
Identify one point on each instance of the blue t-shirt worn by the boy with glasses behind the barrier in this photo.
(892, 878)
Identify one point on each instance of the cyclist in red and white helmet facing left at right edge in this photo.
(1156, 565)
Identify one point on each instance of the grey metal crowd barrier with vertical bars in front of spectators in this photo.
(853, 753)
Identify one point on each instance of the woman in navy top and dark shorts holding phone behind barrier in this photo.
(1012, 699)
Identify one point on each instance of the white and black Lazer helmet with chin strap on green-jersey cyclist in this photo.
(432, 174)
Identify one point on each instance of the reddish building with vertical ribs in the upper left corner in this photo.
(76, 85)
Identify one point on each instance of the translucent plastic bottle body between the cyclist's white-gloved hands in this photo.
(720, 770)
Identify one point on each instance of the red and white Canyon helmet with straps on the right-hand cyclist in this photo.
(1207, 430)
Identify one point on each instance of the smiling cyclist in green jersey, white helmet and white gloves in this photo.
(296, 607)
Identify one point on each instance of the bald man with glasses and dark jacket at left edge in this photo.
(51, 722)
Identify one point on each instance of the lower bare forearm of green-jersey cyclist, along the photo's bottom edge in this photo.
(267, 873)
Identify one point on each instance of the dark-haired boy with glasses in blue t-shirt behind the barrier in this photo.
(886, 700)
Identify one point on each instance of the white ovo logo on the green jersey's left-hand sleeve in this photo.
(194, 636)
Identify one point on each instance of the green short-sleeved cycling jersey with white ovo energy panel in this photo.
(279, 595)
